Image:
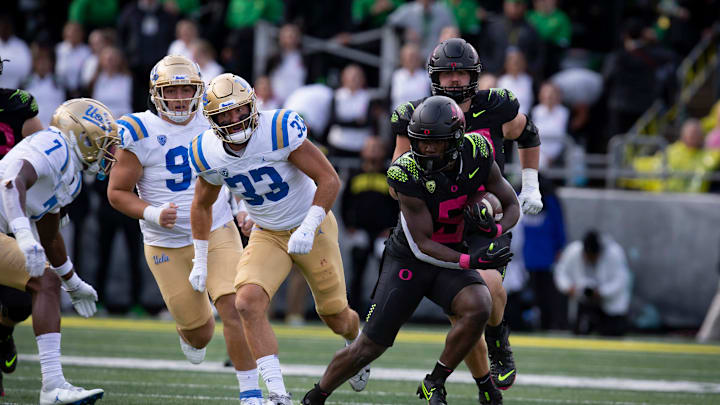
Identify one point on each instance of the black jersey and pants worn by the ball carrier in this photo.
(404, 279)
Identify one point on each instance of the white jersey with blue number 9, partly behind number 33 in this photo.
(162, 149)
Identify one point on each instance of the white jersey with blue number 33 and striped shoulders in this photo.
(277, 194)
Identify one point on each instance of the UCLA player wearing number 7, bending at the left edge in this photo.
(40, 175)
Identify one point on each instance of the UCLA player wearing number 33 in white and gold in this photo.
(288, 187)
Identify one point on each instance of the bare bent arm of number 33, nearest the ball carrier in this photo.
(311, 161)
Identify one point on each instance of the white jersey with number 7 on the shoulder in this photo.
(58, 169)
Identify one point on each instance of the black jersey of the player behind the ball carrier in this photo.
(489, 110)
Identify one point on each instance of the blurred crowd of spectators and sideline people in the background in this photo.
(584, 71)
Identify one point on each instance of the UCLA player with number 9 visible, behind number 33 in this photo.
(153, 157)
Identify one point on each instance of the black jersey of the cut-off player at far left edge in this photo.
(16, 107)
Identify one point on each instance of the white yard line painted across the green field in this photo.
(395, 374)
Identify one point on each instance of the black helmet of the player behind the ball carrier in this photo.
(454, 54)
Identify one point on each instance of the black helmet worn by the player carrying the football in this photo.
(438, 118)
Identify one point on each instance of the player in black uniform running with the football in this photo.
(424, 256)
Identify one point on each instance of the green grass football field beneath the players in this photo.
(140, 362)
